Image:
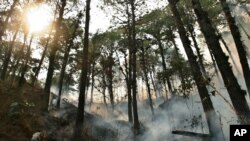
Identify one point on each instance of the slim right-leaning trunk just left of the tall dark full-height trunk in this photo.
(69, 44)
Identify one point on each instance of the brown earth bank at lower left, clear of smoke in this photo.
(20, 112)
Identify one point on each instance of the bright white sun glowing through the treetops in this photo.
(39, 18)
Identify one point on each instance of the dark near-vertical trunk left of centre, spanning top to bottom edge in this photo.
(83, 78)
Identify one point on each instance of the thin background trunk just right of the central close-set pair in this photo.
(147, 81)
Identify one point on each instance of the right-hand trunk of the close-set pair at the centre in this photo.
(134, 85)
